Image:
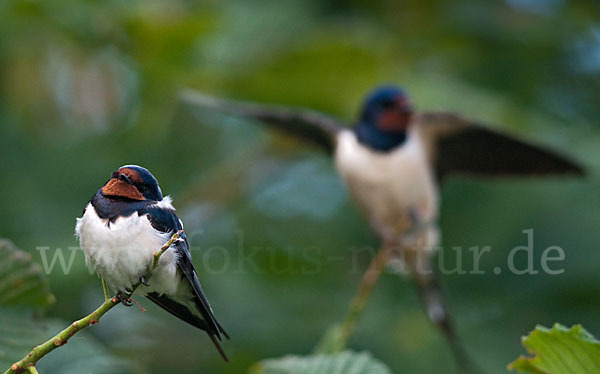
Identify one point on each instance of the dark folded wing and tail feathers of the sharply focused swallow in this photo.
(165, 220)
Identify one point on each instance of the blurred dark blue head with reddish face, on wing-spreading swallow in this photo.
(386, 115)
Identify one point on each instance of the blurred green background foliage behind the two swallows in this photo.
(87, 86)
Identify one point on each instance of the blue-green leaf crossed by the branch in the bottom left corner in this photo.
(20, 332)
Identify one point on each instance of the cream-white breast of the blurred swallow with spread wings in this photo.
(389, 187)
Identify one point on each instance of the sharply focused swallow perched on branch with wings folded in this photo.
(122, 226)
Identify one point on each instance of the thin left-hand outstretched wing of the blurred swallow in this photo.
(309, 125)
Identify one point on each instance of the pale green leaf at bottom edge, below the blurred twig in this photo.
(341, 363)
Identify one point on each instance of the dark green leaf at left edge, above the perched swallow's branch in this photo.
(22, 282)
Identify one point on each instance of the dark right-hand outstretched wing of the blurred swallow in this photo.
(459, 146)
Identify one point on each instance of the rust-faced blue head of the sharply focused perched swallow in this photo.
(134, 183)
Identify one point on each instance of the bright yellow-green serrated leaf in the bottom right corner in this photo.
(559, 350)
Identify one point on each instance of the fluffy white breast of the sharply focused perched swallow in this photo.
(121, 251)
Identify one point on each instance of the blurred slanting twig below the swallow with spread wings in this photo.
(365, 288)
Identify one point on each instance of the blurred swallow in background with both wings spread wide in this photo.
(393, 161)
